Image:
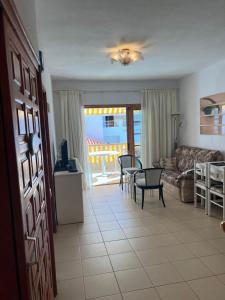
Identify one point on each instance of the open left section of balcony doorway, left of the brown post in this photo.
(106, 135)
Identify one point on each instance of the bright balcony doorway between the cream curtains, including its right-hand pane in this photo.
(111, 131)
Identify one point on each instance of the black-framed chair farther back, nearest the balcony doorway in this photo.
(129, 164)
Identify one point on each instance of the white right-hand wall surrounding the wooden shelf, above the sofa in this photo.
(206, 82)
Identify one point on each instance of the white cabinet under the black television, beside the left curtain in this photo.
(69, 197)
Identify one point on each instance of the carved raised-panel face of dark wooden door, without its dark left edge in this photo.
(25, 109)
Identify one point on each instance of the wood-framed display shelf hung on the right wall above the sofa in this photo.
(212, 115)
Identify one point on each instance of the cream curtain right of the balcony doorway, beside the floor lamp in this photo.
(157, 124)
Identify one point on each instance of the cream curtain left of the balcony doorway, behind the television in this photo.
(72, 115)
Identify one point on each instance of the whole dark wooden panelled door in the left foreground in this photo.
(26, 165)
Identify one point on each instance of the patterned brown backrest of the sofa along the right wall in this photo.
(185, 156)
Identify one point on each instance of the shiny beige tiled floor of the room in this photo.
(124, 253)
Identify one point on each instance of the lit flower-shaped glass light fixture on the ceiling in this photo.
(125, 54)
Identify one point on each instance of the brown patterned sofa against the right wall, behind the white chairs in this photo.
(178, 176)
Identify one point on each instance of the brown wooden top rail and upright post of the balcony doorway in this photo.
(130, 121)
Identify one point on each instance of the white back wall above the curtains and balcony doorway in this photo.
(105, 93)
